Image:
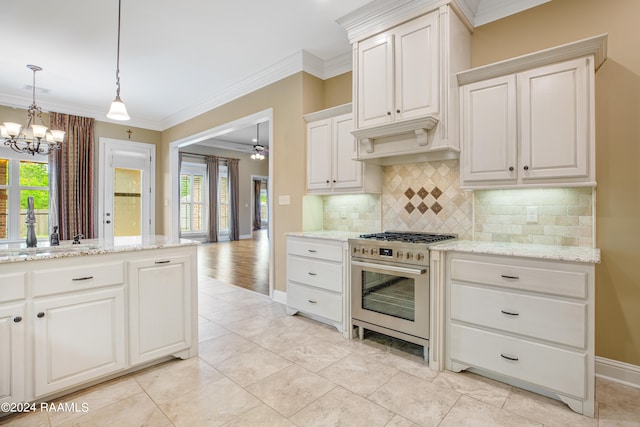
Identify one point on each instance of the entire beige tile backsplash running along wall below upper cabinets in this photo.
(427, 197)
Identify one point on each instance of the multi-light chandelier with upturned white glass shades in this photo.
(33, 138)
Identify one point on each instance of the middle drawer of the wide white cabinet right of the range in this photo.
(544, 318)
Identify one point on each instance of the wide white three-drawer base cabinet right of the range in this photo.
(526, 322)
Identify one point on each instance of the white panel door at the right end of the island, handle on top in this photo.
(159, 307)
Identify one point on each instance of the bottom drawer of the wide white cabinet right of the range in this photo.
(553, 368)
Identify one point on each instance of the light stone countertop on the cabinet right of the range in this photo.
(550, 252)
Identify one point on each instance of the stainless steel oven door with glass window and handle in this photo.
(391, 296)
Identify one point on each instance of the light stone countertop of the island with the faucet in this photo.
(17, 252)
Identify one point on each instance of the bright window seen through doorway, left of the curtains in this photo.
(192, 198)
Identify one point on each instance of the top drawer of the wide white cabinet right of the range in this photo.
(546, 280)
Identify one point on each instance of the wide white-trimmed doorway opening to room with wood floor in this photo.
(224, 259)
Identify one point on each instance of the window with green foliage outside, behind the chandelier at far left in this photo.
(22, 176)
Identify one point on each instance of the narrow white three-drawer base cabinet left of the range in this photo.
(316, 278)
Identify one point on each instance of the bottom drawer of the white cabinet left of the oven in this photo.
(315, 301)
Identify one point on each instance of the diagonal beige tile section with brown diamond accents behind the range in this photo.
(426, 197)
